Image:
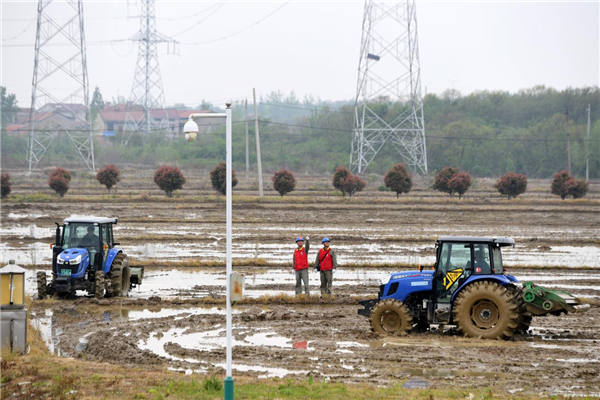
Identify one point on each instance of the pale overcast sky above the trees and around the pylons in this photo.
(313, 47)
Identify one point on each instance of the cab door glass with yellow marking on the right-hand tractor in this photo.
(454, 267)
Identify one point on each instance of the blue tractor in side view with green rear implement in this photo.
(467, 287)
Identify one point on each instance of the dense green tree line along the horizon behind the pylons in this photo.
(486, 133)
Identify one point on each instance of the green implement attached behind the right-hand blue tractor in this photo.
(542, 301)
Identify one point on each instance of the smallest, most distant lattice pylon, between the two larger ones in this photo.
(147, 90)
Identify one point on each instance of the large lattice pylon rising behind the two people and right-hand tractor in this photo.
(388, 105)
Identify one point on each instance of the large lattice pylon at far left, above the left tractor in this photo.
(59, 98)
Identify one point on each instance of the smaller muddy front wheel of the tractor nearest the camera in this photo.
(391, 317)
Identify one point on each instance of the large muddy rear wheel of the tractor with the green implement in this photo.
(486, 310)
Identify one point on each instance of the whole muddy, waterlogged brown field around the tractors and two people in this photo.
(176, 318)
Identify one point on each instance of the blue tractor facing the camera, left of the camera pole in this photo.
(85, 257)
